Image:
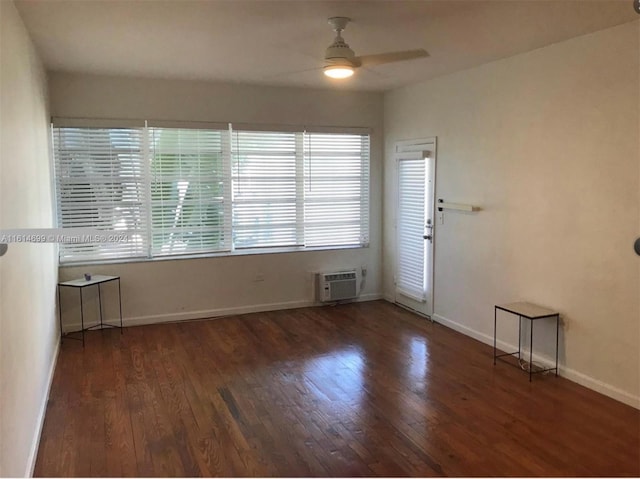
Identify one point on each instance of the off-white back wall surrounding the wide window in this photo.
(183, 289)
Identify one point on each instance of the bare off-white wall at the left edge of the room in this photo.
(28, 272)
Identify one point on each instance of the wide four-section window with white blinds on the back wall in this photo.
(179, 191)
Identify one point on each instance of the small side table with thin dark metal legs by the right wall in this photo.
(531, 312)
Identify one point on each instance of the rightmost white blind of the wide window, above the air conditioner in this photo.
(336, 206)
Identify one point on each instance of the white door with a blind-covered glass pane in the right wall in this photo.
(415, 226)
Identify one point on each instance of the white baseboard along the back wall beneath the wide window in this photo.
(214, 313)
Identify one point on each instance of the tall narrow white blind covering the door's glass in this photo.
(410, 275)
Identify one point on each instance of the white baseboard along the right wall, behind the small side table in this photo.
(571, 374)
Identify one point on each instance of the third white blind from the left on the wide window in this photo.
(267, 189)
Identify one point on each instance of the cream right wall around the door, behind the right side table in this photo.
(547, 143)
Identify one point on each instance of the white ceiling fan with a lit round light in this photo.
(341, 61)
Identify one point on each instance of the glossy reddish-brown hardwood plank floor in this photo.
(361, 389)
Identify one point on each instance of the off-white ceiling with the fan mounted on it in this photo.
(262, 41)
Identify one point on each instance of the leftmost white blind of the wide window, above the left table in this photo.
(99, 175)
